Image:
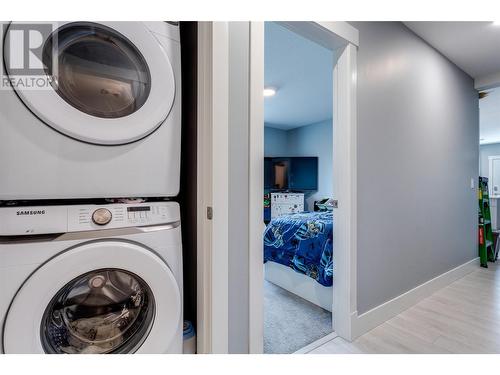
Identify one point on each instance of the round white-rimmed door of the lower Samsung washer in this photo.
(99, 297)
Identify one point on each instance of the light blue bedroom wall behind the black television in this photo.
(310, 140)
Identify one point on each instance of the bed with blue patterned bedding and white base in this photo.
(298, 255)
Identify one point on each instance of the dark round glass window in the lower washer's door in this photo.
(103, 311)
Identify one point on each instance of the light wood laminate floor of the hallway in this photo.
(464, 318)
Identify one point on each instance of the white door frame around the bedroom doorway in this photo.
(344, 145)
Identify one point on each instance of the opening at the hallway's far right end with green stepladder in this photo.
(489, 172)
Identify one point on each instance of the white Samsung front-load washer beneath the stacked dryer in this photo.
(91, 279)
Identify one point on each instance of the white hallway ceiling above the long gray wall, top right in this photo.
(473, 46)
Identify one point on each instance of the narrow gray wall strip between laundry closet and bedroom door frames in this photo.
(238, 186)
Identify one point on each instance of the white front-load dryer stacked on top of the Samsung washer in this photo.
(109, 123)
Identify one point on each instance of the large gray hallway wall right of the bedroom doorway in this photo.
(418, 149)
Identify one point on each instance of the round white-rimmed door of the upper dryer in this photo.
(110, 83)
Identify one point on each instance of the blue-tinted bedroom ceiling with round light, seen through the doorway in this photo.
(302, 73)
